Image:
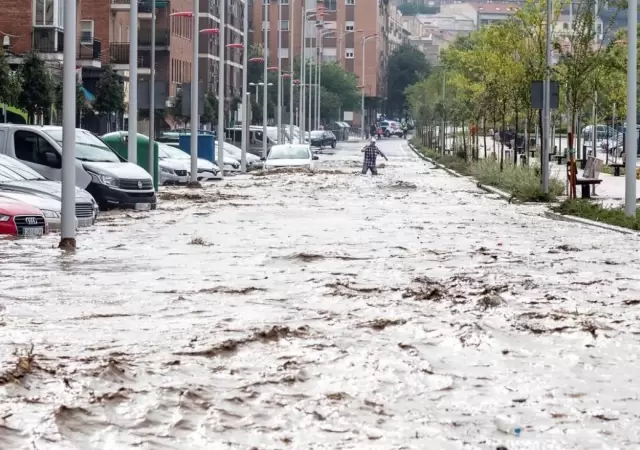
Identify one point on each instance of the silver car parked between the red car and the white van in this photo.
(17, 177)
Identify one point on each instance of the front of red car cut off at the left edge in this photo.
(20, 219)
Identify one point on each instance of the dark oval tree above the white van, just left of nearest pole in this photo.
(36, 93)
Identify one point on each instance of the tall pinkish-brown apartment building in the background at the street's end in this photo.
(335, 26)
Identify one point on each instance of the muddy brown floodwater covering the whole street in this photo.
(323, 311)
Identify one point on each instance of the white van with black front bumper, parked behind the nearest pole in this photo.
(113, 181)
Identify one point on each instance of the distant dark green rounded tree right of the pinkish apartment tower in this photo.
(407, 65)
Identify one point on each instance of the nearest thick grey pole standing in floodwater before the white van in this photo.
(68, 232)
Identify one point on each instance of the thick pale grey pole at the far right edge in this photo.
(632, 111)
